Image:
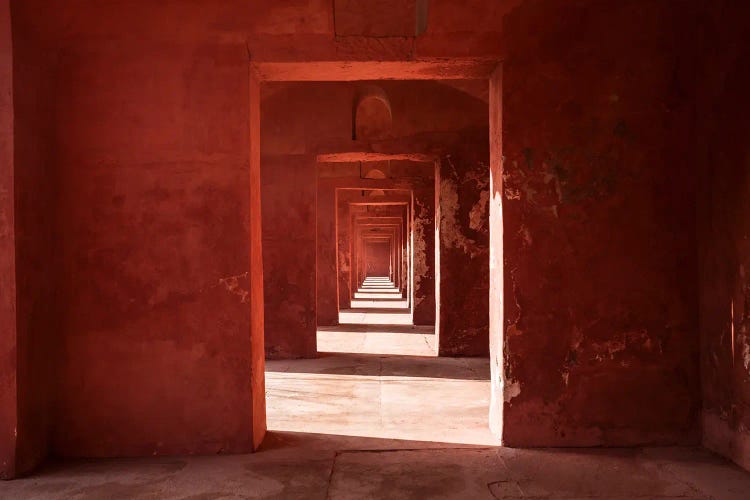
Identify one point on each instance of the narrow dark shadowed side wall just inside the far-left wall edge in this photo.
(37, 244)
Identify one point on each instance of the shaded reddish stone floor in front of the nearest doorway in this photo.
(355, 467)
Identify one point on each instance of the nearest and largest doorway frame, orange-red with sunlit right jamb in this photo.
(332, 71)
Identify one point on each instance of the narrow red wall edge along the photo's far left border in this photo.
(8, 409)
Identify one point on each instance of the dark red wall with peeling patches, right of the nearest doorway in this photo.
(601, 343)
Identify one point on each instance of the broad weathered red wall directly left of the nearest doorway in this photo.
(152, 151)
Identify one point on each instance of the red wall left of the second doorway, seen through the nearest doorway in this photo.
(289, 202)
